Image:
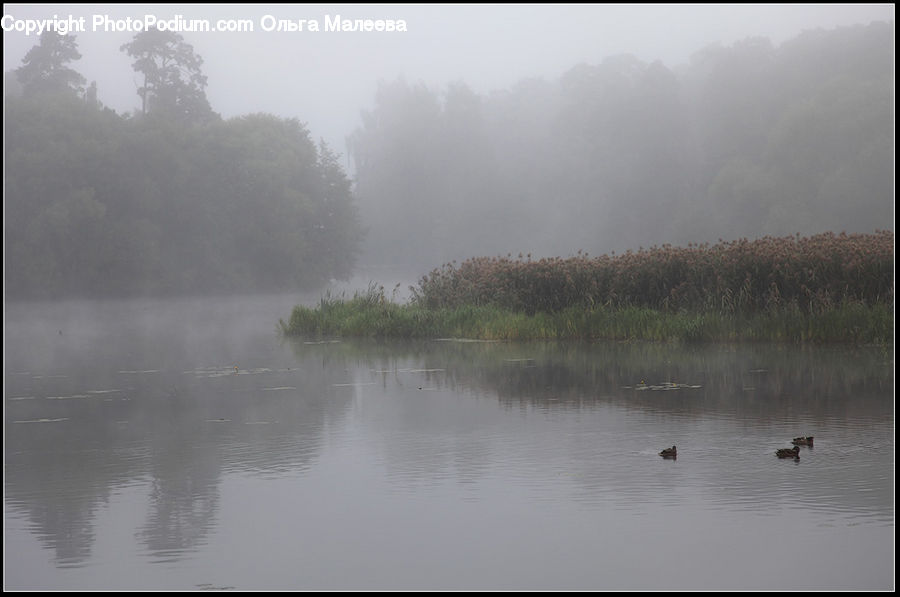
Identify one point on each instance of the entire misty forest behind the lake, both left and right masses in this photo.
(747, 141)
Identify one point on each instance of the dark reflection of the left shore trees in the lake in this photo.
(182, 429)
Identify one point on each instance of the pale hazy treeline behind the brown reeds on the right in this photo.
(745, 141)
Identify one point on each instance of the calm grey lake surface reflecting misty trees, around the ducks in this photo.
(136, 457)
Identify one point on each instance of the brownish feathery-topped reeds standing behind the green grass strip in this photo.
(811, 273)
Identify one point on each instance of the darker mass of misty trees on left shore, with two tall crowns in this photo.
(170, 200)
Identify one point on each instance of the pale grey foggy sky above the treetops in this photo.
(326, 78)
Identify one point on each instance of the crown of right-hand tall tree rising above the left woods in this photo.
(173, 82)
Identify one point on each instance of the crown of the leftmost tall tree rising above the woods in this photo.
(44, 67)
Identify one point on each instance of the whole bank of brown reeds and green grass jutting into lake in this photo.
(825, 288)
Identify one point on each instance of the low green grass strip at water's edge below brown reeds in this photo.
(370, 315)
